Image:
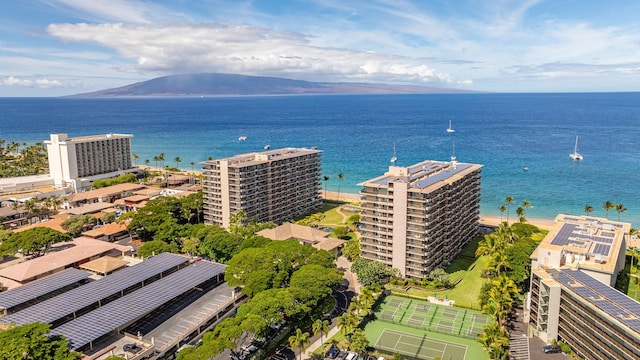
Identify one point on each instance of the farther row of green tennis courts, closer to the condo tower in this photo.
(432, 317)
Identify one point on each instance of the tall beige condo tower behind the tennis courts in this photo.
(418, 218)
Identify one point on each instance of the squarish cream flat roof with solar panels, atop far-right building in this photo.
(586, 242)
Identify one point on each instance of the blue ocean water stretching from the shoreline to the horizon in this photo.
(357, 133)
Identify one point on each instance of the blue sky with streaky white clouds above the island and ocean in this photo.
(63, 47)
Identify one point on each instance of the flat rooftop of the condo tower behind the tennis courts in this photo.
(424, 176)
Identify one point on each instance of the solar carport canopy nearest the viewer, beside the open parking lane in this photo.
(134, 306)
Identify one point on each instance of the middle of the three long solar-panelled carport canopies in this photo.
(71, 301)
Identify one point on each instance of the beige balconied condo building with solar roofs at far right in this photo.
(572, 299)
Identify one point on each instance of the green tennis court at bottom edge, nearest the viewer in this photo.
(418, 347)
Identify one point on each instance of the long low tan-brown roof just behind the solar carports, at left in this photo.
(79, 249)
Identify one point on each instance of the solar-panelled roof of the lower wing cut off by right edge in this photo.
(614, 303)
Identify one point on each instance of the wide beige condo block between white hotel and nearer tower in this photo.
(276, 185)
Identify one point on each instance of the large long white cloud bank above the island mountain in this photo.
(245, 50)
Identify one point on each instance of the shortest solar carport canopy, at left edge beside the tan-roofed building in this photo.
(41, 287)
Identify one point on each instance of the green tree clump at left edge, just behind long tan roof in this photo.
(32, 241)
